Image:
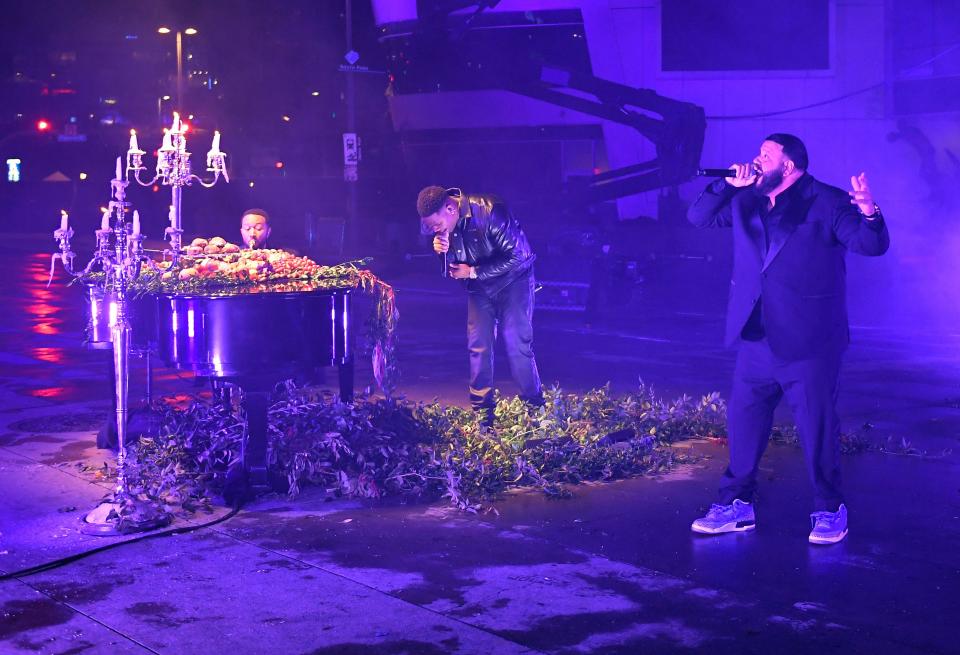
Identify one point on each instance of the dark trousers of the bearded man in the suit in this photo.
(760, 380)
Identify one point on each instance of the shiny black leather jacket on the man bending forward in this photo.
(489, 238)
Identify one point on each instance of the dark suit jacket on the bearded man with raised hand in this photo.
(795, 264)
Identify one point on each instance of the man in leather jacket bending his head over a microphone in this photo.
(484, 247)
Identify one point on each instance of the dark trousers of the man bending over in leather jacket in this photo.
(512, 311)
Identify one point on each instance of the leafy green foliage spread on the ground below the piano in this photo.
(375, 447)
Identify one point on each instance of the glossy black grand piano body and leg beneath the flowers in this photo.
(253, 338)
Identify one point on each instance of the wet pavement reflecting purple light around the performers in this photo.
(614, 569)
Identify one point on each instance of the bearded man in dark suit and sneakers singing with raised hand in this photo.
(788, 313)
